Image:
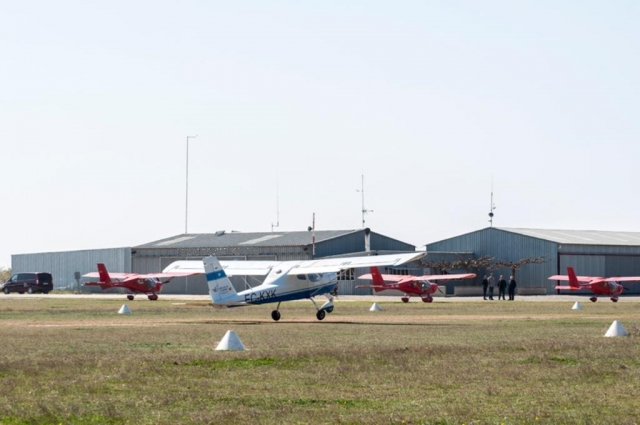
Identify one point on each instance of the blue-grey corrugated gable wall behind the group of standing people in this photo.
(507, 246)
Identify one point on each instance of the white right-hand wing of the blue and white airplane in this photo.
(335, 265)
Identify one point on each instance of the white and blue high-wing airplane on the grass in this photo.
(285, 280)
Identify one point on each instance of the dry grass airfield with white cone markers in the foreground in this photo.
(77, 361)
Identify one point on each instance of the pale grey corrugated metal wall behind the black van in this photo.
(63, 265)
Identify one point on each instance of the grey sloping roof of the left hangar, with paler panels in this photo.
(233, 238)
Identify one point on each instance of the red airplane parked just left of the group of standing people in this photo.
(411, 285)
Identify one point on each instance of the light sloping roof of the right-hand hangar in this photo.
(580, 237)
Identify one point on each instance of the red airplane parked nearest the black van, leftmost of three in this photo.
(149, 284)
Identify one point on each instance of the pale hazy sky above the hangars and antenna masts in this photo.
(427, 99)
